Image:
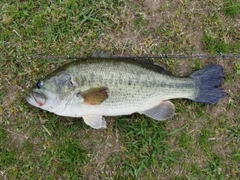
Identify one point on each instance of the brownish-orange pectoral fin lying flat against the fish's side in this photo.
(94, 96)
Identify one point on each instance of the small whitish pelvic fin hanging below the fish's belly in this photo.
(95, 121)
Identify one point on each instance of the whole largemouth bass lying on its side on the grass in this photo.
(95, 87)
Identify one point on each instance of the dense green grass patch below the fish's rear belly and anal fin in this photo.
(145, 146)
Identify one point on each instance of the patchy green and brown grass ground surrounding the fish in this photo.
(199, 142)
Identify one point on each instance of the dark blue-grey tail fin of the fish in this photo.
(208, 81)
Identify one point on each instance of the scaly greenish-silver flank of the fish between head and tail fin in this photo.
(130, 85)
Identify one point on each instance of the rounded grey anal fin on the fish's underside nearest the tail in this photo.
(164, 110)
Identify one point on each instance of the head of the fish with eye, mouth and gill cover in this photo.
(53, 92)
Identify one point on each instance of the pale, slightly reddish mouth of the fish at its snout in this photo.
(36, 99)
